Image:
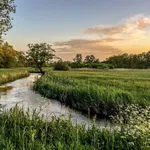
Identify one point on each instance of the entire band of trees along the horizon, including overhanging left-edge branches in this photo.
(41, 54)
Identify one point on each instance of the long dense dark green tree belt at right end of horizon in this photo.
(130, 60)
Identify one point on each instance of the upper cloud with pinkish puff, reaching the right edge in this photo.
(129, 26)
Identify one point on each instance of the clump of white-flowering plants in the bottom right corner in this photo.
(134, 125)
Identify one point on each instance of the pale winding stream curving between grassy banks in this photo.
(20, 92)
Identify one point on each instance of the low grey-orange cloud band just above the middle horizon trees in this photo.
(85, 46)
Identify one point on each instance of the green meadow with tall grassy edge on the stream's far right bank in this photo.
(101, 92)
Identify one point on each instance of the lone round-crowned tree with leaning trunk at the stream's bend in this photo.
(40, 54)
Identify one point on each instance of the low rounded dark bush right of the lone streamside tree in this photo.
(61, 66)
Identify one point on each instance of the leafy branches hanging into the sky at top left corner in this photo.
(6, 8)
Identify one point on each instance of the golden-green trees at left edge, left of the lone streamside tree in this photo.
(10, 57)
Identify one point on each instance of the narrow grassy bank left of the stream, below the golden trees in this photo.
(8, 75)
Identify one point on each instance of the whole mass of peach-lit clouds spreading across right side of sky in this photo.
(114, 39)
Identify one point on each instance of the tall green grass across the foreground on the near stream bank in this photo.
(21, 130)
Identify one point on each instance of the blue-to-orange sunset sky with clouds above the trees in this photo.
(99, 27)
